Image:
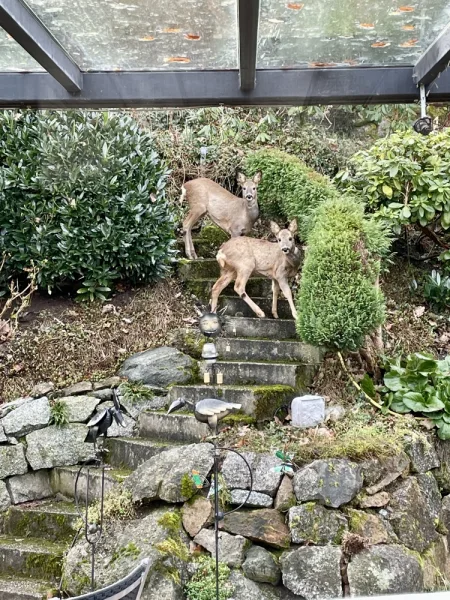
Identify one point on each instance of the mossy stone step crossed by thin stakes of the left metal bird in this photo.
(63, 481)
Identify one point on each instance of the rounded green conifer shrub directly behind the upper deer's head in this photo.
(288, 189)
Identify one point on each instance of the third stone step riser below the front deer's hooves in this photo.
(297, 376)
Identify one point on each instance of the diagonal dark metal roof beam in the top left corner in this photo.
(23, 25)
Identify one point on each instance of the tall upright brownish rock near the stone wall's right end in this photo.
(412, 519)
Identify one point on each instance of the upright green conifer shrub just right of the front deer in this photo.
(339, 303)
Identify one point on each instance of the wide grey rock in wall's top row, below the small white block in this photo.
(332, 482)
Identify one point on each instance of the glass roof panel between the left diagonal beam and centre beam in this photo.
(115, 35)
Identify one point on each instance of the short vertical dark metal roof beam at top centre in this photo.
(248, 17)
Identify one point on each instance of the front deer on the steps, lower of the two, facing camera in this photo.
(239, 258)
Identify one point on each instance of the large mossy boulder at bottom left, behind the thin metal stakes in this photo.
(122, 546)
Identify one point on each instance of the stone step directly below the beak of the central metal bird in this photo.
(178, 428)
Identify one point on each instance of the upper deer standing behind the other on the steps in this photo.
(234, 215)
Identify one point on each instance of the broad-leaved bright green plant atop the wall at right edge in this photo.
(420, 384)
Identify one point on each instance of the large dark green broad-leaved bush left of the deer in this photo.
(75, 200)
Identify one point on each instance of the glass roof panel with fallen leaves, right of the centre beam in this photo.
(318, 33)
